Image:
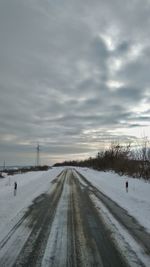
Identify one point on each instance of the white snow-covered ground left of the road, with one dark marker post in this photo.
(30, 185)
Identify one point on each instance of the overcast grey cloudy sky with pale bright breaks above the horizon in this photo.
(74, 77)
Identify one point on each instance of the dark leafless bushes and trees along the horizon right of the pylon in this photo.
(120, 159)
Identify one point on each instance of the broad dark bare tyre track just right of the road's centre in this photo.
(101, 250)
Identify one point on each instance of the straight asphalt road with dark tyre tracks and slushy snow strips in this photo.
(64, 228)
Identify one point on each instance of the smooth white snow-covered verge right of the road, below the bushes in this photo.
(136, 201)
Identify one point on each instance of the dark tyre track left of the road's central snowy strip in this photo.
(42, 216)
